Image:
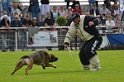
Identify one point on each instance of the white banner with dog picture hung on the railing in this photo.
(45, 38)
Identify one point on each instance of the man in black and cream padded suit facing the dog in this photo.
(85, 27)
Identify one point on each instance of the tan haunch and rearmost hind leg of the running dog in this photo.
(25, 60)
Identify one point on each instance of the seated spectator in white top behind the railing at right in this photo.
(110, 24)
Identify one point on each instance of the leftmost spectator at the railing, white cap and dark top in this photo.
(5, 23)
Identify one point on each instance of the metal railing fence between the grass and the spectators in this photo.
(17, 37)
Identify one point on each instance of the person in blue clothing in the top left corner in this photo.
(6, 5)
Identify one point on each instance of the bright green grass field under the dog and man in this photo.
(68, 69)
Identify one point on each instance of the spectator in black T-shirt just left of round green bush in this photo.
(50, 22)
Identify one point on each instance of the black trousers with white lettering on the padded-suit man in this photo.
(88, 50)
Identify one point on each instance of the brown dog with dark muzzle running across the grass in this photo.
(39, 58)
